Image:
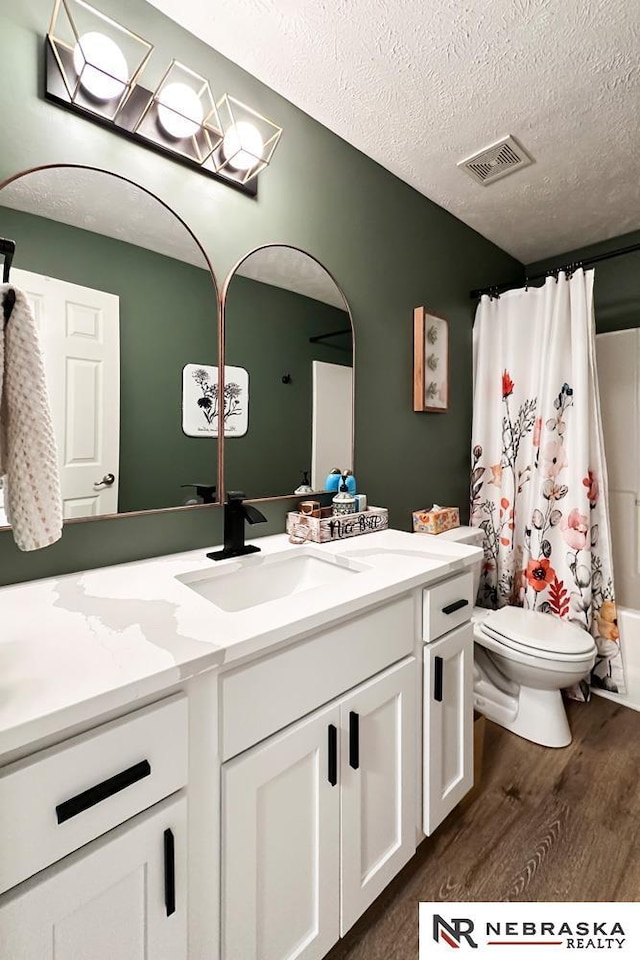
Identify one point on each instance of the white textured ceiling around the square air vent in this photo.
(418, 86)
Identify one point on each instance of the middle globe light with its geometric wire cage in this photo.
(181, 114)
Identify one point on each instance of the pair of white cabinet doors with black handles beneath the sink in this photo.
(317, 819)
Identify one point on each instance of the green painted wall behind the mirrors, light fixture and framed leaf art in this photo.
(389, 248)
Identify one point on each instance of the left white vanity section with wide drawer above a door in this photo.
(93, 835)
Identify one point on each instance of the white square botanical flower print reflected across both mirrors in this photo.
(200, 401)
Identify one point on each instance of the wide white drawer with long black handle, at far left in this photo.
(61, 798)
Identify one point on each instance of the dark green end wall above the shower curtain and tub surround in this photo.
(617, 282)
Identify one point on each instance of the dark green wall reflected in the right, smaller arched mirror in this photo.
(267, 332)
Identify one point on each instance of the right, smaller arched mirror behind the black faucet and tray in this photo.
(289, 352)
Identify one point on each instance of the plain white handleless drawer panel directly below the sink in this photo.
(263, 697)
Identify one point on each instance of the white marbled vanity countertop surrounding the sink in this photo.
(75, 647)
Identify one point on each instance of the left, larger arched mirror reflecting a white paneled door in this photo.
(127, 308)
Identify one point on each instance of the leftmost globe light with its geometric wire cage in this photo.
(98, 61)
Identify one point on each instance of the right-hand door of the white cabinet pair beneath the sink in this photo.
(378, 796)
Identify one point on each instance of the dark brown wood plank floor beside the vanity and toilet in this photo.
(554, 825)
